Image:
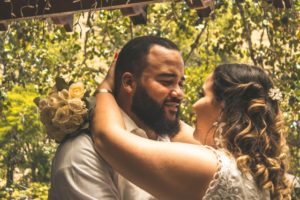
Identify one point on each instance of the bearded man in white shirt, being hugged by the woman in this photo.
(148, 88)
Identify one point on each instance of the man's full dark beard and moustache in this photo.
(152, 114)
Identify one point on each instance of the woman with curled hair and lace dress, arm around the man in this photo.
(239, 123)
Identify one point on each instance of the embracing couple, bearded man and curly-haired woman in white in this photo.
(237, 150)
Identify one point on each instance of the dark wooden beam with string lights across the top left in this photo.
(22, 9)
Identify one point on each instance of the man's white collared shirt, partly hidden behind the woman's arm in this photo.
(78, 172)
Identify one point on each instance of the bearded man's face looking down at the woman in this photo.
(159, 91)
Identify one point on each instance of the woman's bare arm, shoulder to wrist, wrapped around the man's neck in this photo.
(166, 170)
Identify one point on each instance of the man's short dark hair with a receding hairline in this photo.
(133, 56)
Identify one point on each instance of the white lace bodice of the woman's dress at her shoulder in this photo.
(229, 183)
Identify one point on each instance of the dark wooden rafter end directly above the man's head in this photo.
(137, 14)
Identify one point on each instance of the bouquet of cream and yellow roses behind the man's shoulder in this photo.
(65, 111)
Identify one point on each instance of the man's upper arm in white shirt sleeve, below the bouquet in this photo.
(78, 172)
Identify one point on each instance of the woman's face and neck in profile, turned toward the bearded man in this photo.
(207, 112)
